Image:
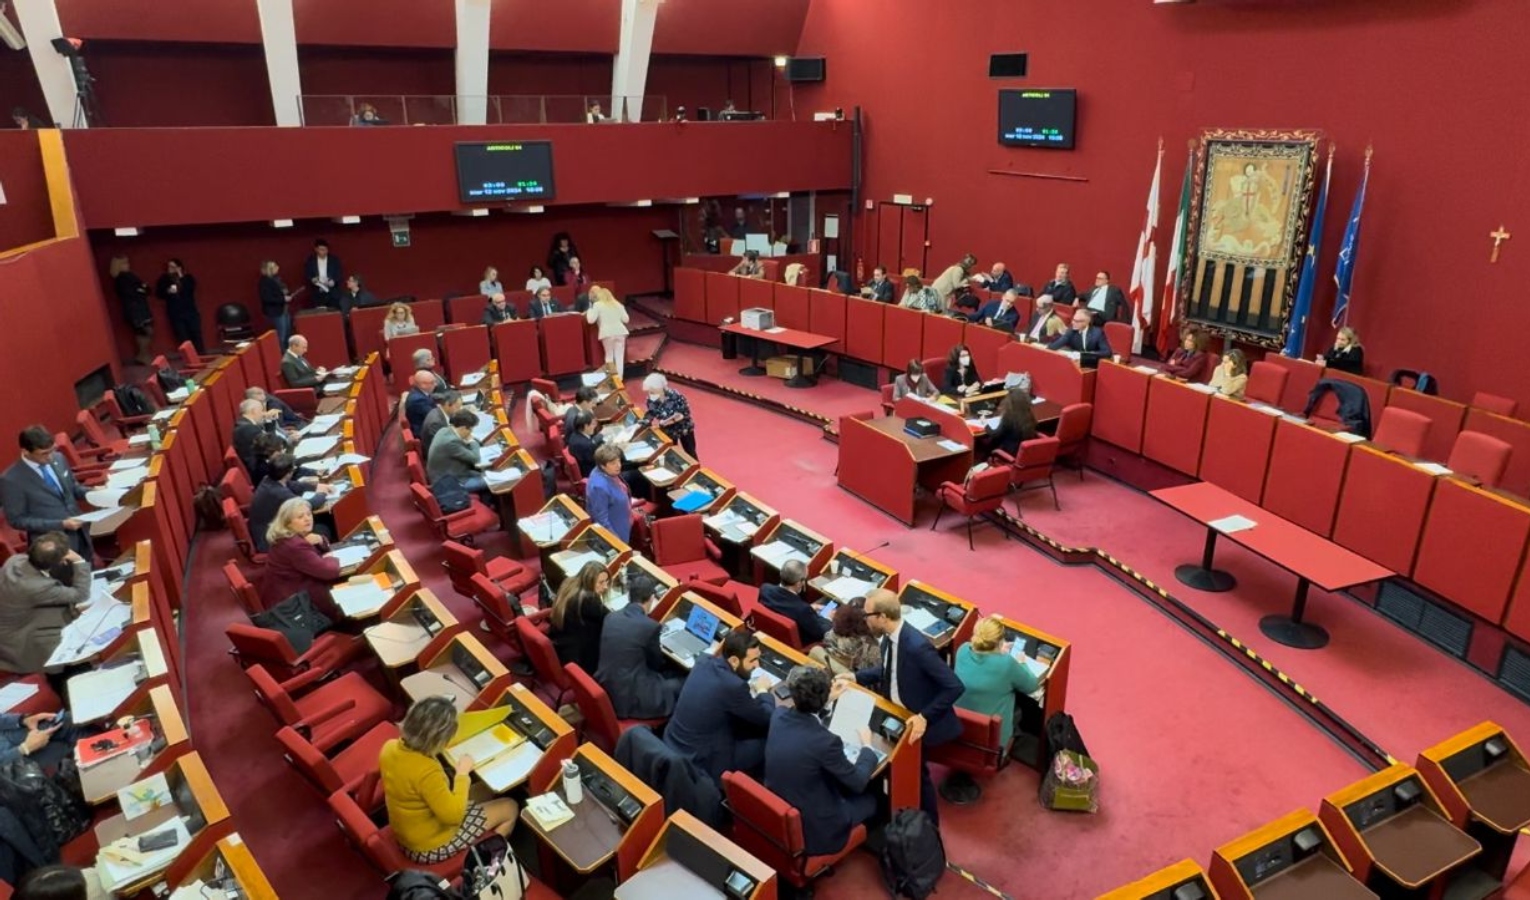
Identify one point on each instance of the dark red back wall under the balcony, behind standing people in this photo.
(448, 255)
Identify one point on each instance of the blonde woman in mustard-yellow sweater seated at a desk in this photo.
(429, 810)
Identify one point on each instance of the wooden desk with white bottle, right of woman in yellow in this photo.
(597, 833)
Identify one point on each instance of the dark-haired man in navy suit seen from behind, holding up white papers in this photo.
(806, 766)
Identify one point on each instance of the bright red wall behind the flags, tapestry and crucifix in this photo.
(1428, 83)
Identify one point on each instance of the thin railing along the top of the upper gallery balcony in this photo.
(539, 109)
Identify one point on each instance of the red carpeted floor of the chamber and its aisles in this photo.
(1193, 751)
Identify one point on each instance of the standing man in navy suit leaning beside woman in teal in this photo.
(914, 677)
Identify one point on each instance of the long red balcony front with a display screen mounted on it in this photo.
(250, 175)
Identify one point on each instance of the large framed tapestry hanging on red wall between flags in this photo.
(1251, 210)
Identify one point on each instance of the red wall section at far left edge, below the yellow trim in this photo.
(67, 336)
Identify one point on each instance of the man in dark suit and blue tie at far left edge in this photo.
(42, 495)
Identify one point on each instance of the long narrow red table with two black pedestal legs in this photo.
(1312, 559)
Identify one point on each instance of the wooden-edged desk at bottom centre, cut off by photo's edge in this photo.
(685, 852)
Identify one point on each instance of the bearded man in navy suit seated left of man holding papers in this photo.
(721, 719)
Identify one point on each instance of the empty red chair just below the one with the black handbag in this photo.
(331, 712)
